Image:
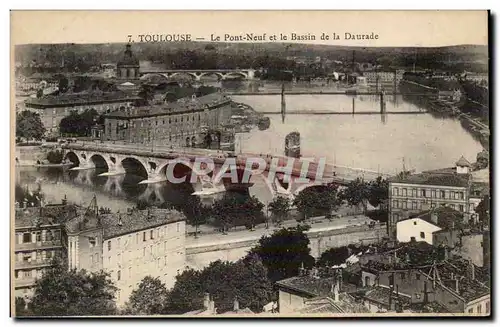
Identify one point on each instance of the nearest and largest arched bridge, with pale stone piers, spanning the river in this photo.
(153, 163)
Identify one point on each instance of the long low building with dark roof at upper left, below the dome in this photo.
(52, 109)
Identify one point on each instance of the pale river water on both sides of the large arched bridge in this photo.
(374, 142)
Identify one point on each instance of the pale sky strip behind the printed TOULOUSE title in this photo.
(394, 28)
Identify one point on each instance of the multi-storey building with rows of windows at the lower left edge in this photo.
(39, 238)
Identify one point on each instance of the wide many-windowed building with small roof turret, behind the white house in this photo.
(413, 193)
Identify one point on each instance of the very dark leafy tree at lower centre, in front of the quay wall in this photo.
(284, 252)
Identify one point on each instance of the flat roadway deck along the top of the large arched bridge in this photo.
(334, 173)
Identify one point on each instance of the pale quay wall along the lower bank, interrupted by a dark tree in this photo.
(200, 256)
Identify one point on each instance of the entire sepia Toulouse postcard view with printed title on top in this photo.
(250, 164)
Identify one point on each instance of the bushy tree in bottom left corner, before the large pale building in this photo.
(73, 293)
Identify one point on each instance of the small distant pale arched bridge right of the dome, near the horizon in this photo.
(197, 74)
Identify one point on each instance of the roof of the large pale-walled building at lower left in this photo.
(116, 224)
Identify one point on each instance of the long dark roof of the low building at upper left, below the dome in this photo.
(81, 99)
